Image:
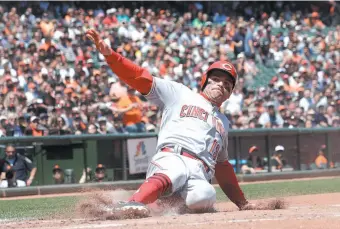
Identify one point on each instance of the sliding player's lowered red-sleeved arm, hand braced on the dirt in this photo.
(227, 180)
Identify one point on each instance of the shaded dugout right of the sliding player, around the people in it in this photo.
(301, 144)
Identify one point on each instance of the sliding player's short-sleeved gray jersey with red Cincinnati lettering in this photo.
(190, 121)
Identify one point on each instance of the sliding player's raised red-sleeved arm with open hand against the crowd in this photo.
(132, 74)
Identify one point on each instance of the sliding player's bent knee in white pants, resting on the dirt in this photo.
(199, 195)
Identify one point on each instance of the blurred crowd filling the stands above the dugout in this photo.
(54, 82)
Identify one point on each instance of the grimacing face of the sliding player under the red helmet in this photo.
(219, 86)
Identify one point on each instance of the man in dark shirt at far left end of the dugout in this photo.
(22, 166)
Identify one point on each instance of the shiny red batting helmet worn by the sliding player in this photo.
(225, 66)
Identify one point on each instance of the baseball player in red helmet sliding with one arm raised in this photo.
(193, 137)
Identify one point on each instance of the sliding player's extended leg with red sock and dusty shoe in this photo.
(167, 173)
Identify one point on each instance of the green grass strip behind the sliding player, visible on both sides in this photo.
(44, 207)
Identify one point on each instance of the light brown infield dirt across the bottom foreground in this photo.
(309, 211)
